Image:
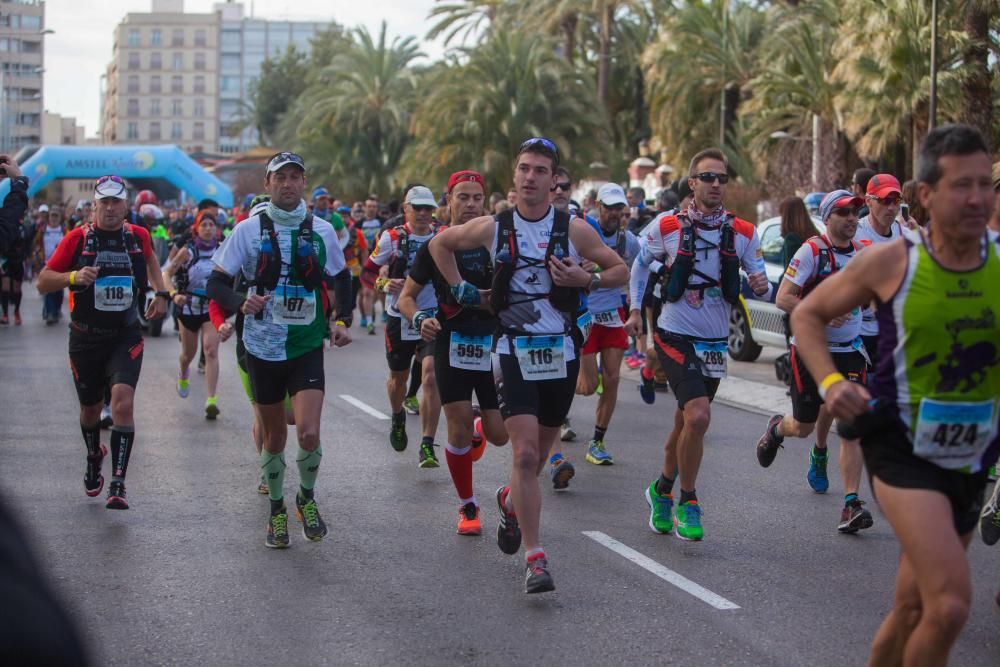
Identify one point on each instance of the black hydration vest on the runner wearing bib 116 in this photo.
(563, 299)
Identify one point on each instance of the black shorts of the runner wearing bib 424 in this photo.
(889, 457)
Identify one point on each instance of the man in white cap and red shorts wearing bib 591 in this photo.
(607, 336)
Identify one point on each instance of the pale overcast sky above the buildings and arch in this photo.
(79, 51)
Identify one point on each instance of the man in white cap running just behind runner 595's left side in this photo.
(393, 256)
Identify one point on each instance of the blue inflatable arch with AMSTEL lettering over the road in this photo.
(130, 162)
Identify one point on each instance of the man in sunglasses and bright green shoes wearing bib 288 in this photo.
(704, 246)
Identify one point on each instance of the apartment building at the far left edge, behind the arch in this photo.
(22, 64)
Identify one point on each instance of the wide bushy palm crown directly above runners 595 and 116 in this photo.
(490, 98)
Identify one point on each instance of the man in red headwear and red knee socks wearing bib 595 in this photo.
(462, 340)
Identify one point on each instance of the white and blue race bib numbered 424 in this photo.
(953, 435)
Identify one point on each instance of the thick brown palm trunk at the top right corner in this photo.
(977, 108)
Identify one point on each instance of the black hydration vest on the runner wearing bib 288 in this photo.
(677, 279)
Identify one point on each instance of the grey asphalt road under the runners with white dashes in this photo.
(184, 578)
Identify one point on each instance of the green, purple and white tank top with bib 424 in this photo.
(941, 358)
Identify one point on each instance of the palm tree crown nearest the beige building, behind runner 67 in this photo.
(352, 122)
